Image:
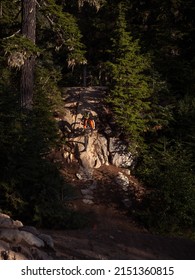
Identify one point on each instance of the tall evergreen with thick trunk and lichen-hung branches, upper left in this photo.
(57, 34)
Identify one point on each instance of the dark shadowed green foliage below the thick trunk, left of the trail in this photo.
(31, 187)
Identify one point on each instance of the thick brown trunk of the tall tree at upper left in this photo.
(27, 75)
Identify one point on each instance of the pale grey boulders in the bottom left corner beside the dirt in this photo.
(18, 242)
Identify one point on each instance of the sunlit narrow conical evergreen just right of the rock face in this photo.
(130, 81)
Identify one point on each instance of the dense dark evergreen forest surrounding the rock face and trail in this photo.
(143, 51)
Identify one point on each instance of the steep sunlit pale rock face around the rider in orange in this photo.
(92, 148)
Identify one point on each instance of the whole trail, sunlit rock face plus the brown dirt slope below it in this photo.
(97, 165)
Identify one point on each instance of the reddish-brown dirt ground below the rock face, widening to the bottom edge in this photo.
(112, 233)
